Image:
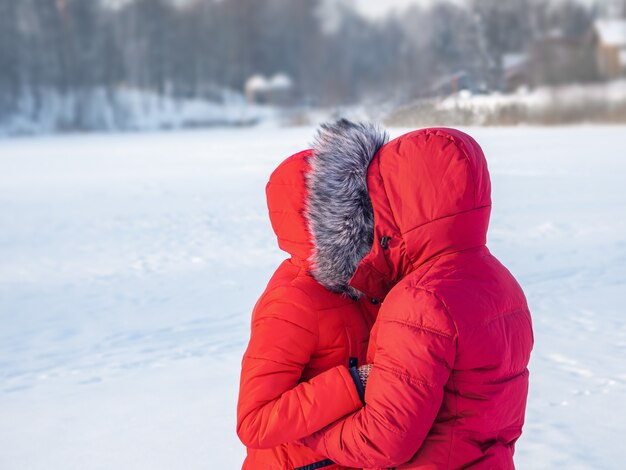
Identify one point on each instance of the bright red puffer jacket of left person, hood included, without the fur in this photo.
(294, 377)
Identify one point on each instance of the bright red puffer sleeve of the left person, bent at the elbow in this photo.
(274, 406)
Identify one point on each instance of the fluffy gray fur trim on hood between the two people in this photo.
(339, 210)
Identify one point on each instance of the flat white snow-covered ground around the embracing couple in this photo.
(129, 265)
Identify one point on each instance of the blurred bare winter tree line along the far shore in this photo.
(195, 48)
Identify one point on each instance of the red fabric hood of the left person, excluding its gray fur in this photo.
(286, 194)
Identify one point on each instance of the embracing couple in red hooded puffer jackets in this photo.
(392, 337)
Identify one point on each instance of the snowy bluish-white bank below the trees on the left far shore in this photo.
(126, 109)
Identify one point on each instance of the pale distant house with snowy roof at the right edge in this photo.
(609, 40)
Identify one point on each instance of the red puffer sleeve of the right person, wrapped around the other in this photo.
(413, 359)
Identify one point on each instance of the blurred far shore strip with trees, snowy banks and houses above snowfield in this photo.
(85, 65)
